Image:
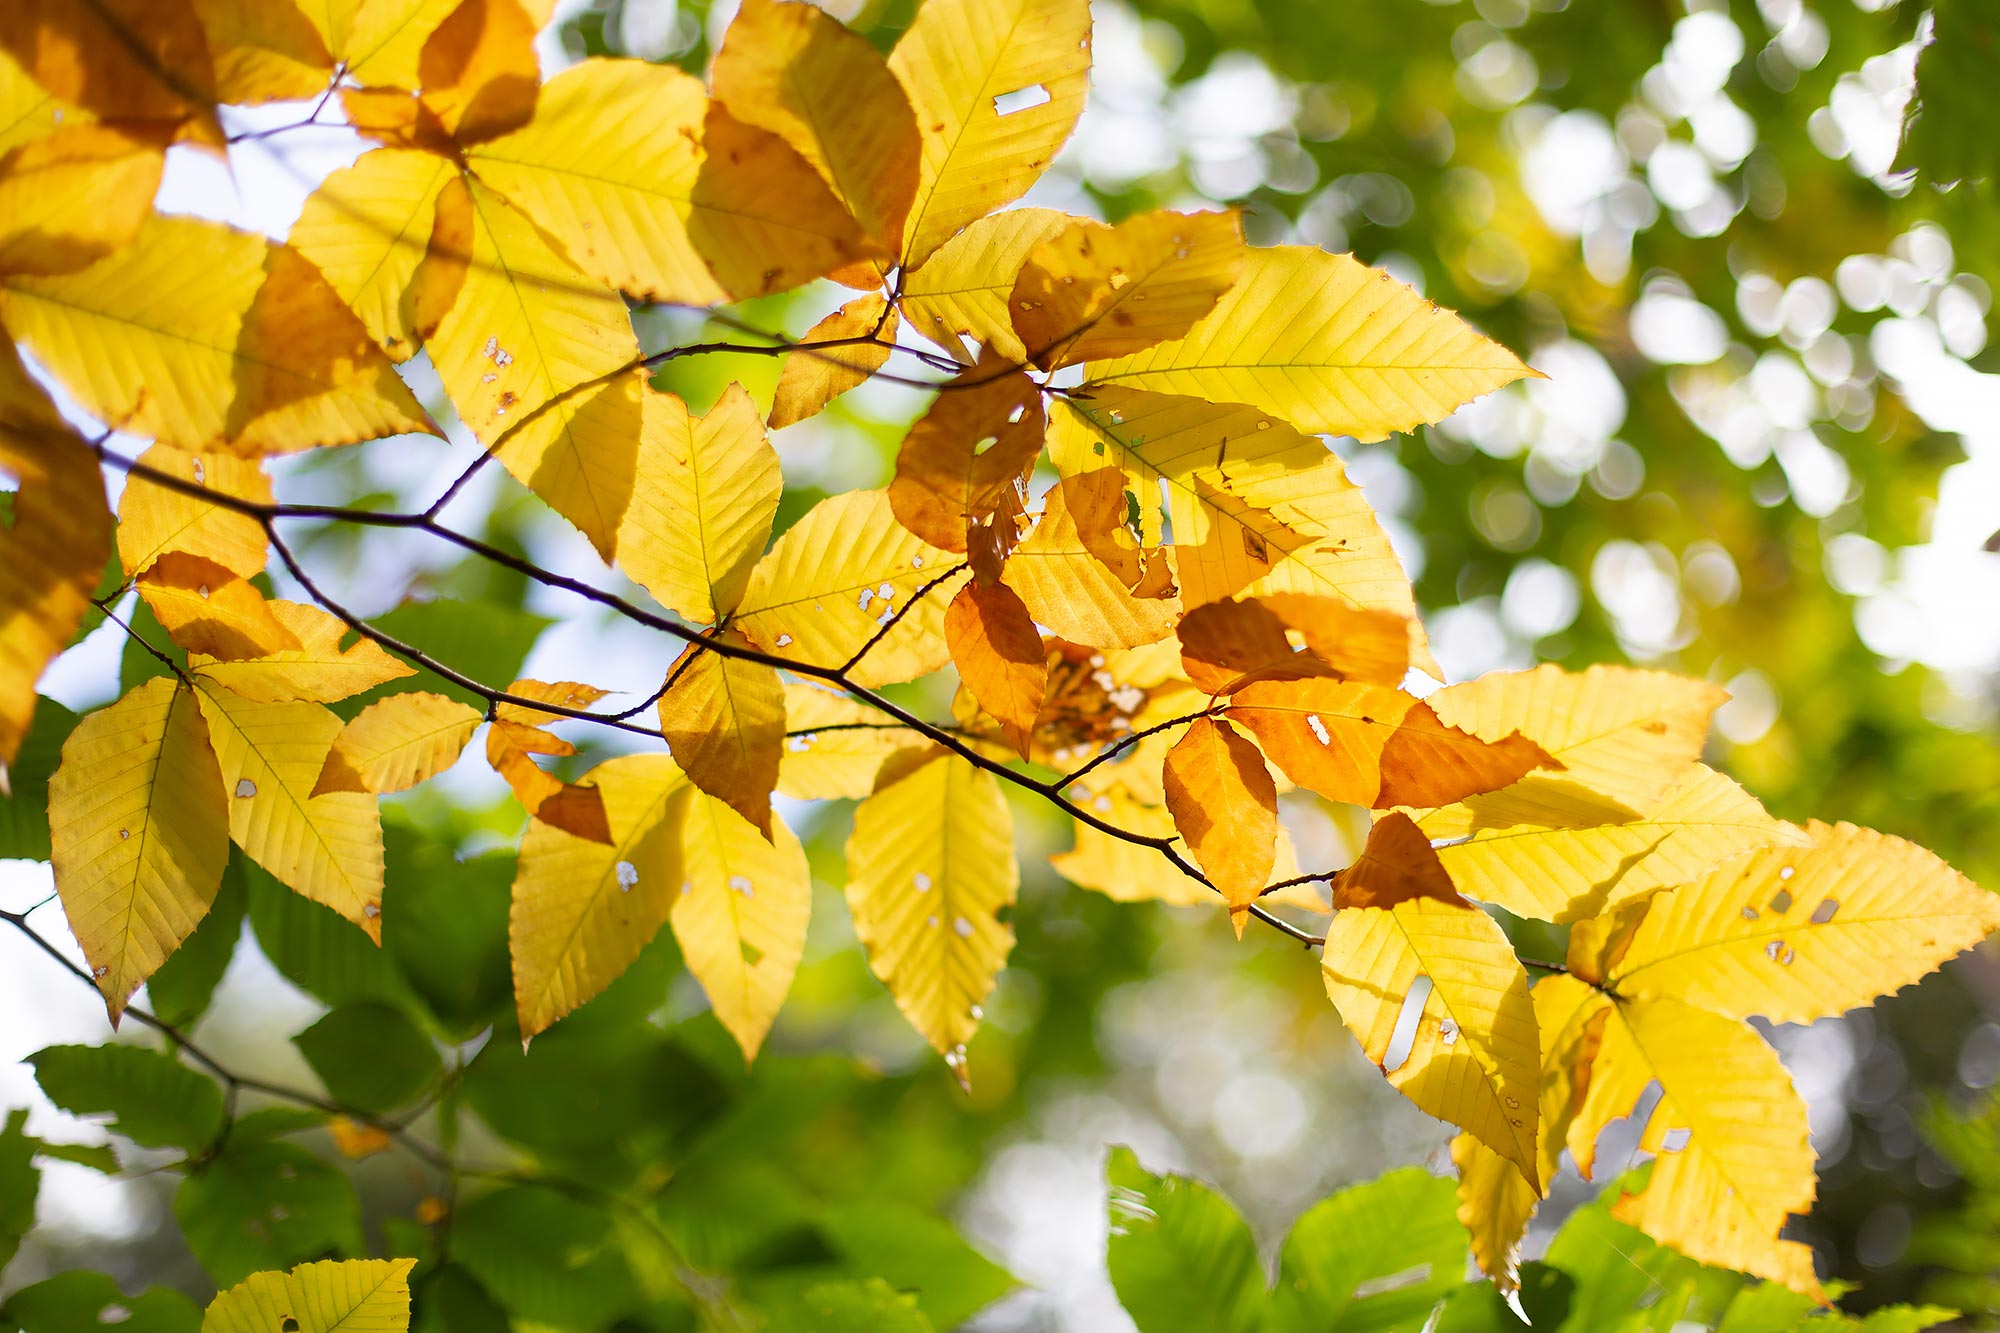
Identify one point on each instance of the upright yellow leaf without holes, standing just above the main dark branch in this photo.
(705, 493)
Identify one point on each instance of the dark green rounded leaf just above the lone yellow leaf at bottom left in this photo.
(267, 1206)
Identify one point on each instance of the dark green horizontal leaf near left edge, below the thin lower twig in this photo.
(153, 1098)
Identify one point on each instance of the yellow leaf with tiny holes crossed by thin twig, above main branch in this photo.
(829, 587)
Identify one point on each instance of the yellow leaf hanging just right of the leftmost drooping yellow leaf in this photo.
(323, 848)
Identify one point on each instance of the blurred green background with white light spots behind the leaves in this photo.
(1767, 453)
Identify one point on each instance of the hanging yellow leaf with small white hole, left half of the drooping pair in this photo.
(583, 912)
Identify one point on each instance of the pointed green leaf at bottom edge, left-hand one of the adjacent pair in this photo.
(1181, 1256)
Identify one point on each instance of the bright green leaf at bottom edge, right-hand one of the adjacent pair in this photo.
(1373, 1258)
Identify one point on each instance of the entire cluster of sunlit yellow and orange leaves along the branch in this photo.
(1197, 617)
